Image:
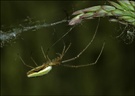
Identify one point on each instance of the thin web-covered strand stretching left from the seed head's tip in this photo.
(13, 33)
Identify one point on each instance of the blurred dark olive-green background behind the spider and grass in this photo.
(112, 75)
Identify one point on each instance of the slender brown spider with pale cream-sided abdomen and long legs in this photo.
(46, 67)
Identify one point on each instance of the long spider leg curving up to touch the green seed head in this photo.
(71, 59)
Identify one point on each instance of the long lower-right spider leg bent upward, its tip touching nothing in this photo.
(77, 66)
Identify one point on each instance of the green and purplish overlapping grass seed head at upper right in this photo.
(122, 11)
